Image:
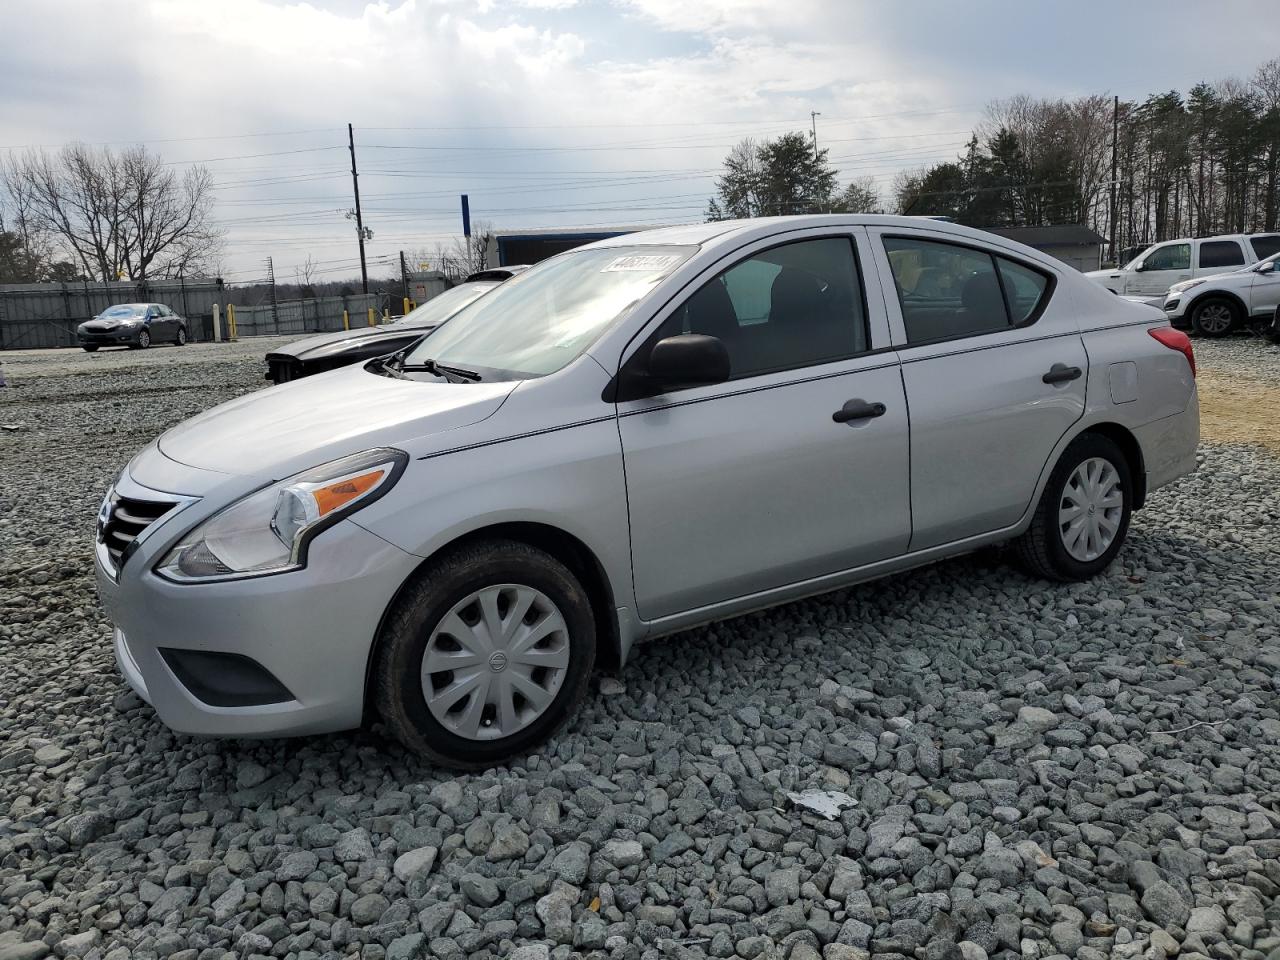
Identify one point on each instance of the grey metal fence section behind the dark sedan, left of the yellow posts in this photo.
(48, 314)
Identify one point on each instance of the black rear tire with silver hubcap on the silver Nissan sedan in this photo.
(1045, 550)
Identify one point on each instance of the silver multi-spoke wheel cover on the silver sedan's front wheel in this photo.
(495, 664)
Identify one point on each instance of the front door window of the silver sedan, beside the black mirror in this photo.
(785, 308)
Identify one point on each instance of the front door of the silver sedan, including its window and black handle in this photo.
(797, 467)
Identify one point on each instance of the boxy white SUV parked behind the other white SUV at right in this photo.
(1150, 275)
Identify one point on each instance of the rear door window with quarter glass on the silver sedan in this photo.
(948, 291)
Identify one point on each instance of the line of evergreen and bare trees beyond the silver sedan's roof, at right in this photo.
(1199, 164)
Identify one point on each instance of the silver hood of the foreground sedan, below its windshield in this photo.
(304, 423)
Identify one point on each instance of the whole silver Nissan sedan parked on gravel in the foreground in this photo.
(632, 438)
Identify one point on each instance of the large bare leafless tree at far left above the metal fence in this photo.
(118, 214)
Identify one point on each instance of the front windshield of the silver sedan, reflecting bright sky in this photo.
(541, 321)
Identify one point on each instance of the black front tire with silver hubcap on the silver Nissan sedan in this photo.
(446, 592)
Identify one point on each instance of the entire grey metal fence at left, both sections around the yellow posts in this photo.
(47, 314)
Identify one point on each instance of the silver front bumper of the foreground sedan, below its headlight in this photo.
(312, 630)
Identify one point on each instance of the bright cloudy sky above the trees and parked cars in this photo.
(556, 113)
